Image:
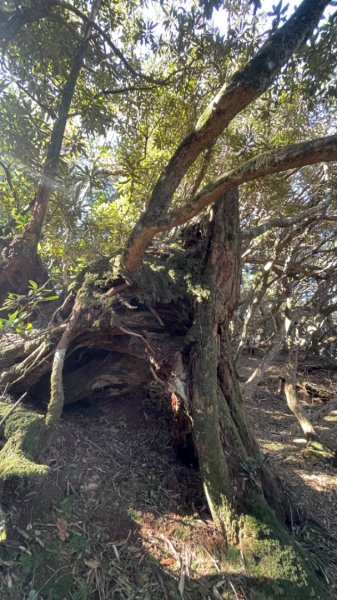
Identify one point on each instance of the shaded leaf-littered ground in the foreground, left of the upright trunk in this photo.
(119, 517)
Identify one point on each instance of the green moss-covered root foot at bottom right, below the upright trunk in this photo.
(275, 563)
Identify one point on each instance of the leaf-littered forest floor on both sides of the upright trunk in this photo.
(120, 517)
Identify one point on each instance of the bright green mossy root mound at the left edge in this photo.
(24, 432)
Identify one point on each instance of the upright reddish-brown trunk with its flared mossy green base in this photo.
(237, 483)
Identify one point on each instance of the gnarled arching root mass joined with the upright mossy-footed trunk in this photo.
(149, 323)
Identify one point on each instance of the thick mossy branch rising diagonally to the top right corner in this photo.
(244, 87)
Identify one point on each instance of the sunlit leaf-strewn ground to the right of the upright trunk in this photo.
(311, 484)
